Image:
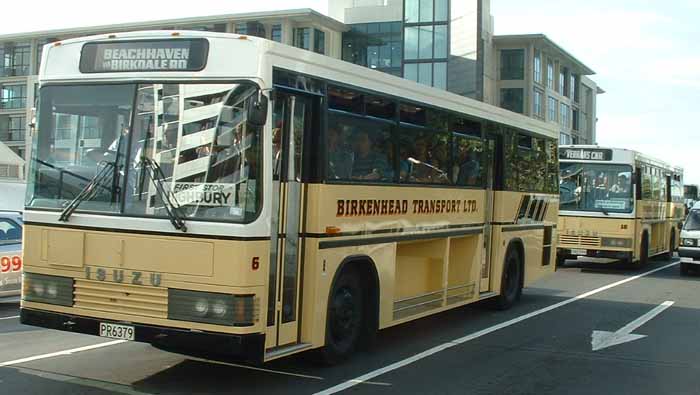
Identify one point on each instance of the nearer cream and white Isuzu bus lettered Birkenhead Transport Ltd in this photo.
(228, 194)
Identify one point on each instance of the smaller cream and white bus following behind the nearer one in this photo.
(617, 203)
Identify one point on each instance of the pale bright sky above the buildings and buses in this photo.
(644, 53)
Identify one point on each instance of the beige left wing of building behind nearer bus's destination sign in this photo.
(20, 54)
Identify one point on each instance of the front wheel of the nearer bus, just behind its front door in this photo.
(345, 318)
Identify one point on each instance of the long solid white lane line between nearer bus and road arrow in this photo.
(442, 347)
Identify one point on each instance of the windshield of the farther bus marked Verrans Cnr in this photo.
(594, 187)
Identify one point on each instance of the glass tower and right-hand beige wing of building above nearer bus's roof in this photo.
(449, 44)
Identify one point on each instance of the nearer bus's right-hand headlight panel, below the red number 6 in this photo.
(212, 308)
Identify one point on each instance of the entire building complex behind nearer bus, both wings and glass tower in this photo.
(447, 44)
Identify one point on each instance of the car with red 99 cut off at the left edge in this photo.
(10, 254)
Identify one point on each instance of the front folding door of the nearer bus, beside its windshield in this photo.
(291, 119)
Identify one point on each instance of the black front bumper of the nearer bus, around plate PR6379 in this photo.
(248, 348)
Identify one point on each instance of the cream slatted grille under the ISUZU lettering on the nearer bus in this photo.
(121, 298)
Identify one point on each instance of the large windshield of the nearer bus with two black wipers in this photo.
(197, 134)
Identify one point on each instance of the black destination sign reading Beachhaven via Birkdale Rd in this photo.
(144, 55)
